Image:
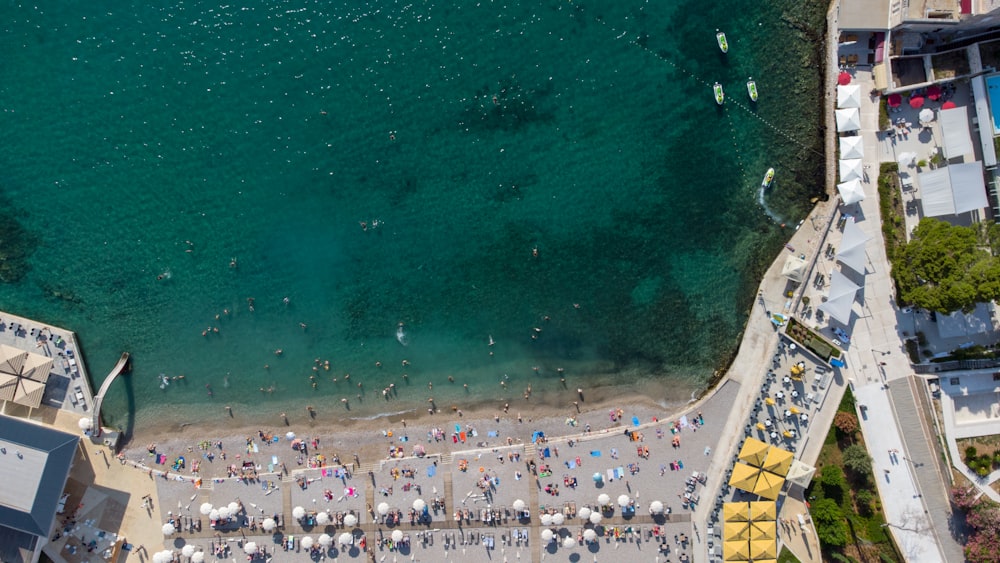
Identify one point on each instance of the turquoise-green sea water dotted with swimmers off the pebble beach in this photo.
(552, 175)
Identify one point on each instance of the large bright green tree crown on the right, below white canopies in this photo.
(946, 268)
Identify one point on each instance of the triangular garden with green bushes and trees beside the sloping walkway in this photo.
(844, 503)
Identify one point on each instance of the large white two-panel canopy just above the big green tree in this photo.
(954, 189)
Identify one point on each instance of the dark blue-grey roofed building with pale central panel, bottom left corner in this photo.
(35, 461)
